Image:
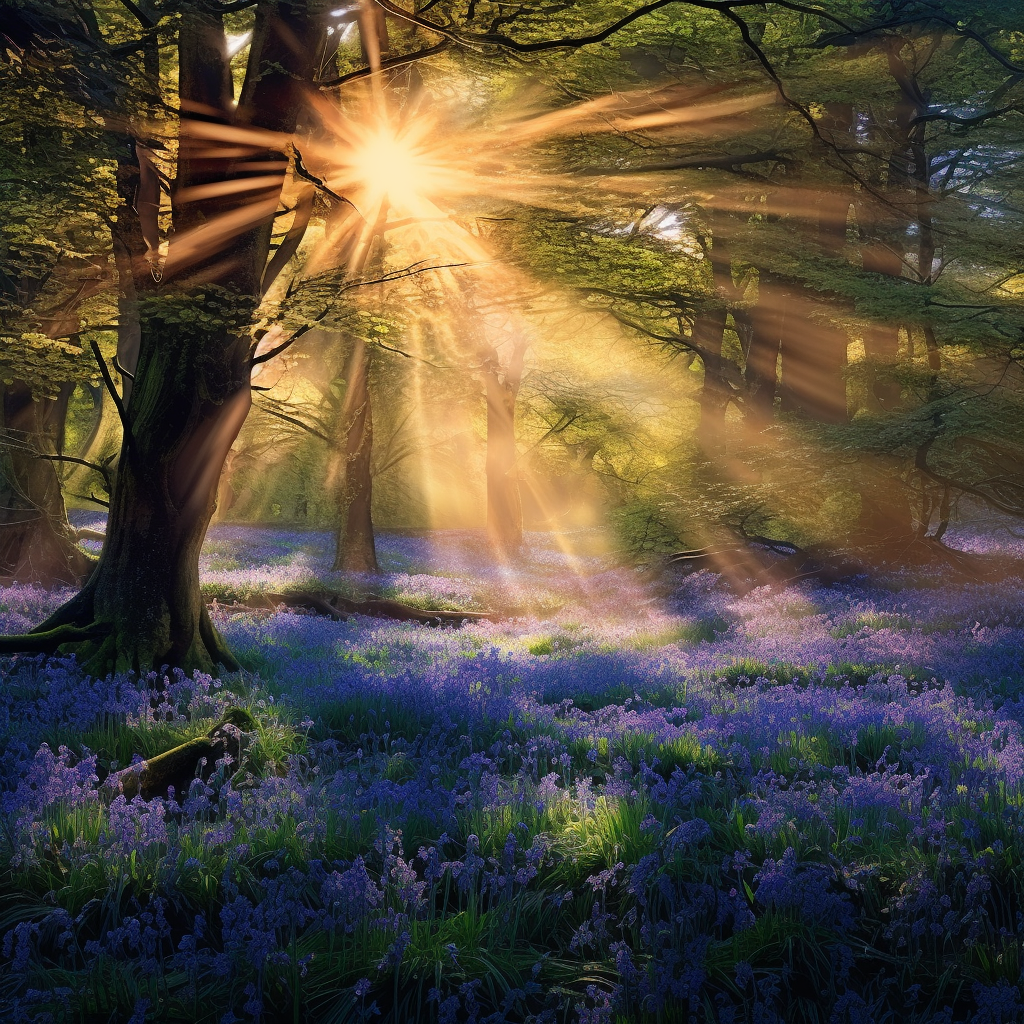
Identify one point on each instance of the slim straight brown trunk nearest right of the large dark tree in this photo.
(355, 550)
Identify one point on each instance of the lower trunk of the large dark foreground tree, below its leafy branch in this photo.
(190, 400)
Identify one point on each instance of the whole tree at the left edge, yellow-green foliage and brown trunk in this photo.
(53, 273)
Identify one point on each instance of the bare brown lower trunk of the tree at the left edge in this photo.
(36, 542)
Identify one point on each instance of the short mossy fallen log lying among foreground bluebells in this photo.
(179, 766)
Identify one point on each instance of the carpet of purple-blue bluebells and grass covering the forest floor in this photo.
(637, 798)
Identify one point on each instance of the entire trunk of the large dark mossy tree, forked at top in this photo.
(143, 607)
